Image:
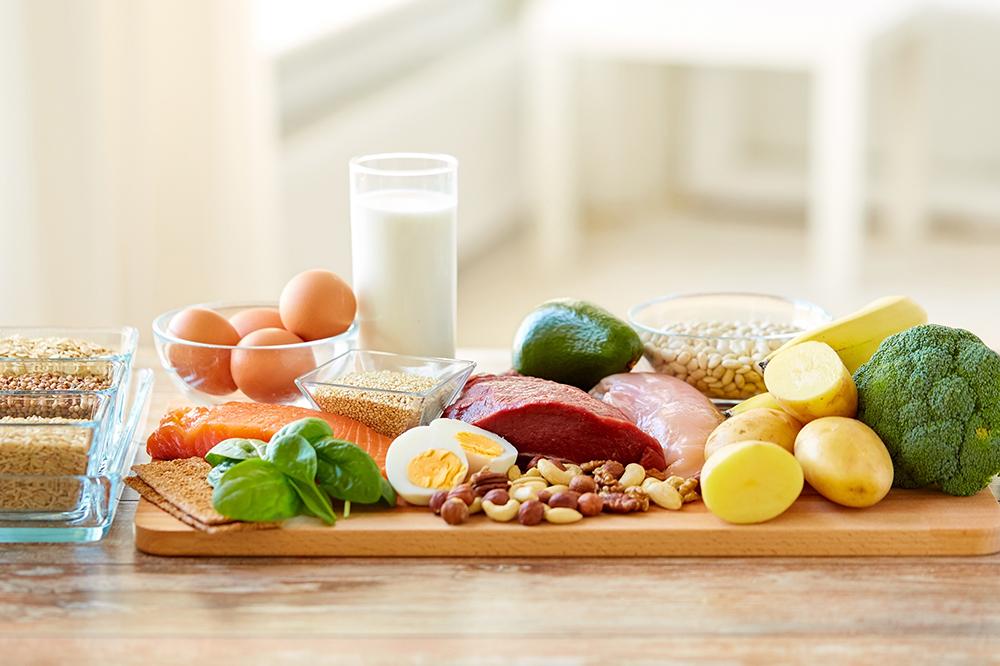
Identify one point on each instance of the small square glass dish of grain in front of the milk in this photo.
(390, 393)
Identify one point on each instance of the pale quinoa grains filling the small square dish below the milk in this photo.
(390, 414)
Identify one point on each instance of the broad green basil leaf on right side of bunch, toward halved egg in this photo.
(346, 472)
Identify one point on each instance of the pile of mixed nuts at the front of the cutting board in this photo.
(562, 493)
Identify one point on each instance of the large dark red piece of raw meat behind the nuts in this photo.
(540, 417)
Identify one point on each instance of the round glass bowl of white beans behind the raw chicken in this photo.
(714, 341)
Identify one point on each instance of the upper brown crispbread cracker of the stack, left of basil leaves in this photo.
(182, 483)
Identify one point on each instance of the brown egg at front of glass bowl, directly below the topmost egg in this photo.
(268, 375)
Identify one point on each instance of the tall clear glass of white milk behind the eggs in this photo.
(403, 241)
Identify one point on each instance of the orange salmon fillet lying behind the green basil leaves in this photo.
(191, 431)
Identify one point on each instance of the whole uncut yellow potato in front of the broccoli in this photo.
(845, 461)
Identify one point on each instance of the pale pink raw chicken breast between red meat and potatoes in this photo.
(672, 411)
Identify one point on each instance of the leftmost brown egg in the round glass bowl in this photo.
(203, 369)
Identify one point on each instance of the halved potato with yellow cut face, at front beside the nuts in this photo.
(750, 482)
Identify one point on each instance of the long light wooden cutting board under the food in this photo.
(907, 522)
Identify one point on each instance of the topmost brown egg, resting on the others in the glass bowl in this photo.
(317, 304)
